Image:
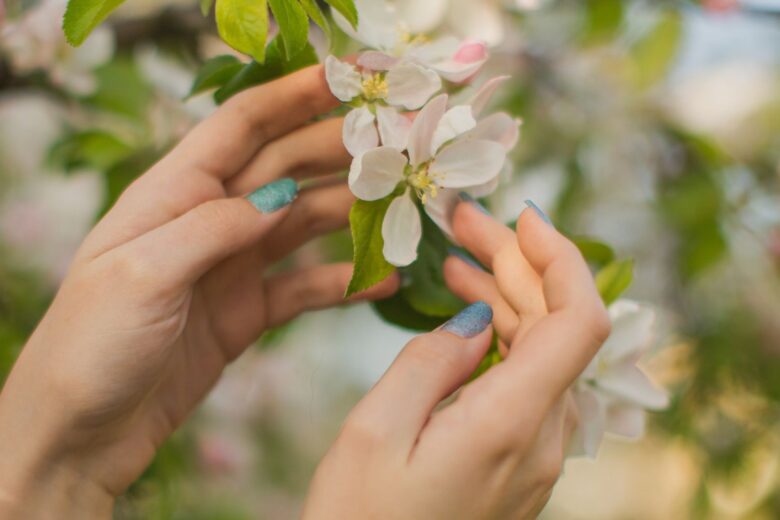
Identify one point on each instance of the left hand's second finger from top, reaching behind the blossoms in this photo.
(312, 150)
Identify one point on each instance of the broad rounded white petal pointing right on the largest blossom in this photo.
(465, 164)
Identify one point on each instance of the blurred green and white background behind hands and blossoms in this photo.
(651, 125)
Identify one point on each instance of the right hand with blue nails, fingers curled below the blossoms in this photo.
(497, 451)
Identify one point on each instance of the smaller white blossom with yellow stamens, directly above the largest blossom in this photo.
(404, 85)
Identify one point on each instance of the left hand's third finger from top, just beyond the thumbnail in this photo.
(316, 212)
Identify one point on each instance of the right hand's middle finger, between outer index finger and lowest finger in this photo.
(495, 245)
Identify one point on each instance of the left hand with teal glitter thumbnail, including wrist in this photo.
(168, 289)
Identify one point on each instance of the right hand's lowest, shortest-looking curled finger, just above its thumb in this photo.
(471, 285)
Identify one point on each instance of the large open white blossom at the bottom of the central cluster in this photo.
(447, 153)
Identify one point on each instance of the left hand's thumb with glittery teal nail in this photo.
(186, 248)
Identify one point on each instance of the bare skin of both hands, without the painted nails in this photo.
(171, 286)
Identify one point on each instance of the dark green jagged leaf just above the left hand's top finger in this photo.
(275, 66)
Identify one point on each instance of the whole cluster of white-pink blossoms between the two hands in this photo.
(406, 136)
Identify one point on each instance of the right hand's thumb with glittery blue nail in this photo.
(429, 369)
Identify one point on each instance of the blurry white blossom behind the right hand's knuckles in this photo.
(613, 393)
